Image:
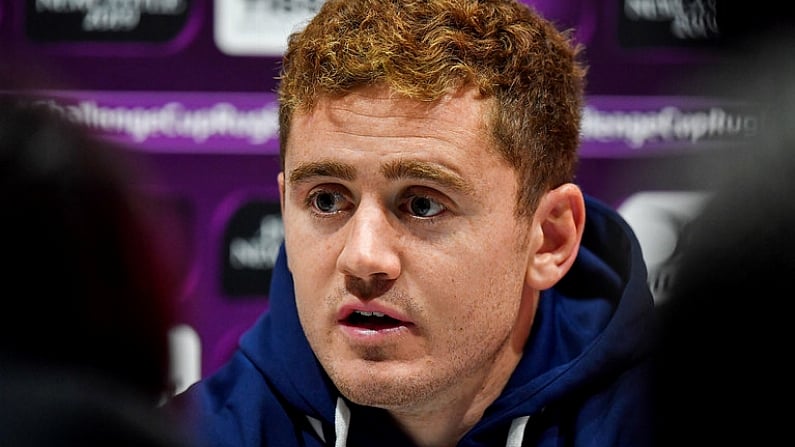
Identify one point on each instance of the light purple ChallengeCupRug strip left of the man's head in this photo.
(174, 121)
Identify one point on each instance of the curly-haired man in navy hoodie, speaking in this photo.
(440, 284)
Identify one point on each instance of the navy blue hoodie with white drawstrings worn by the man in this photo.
(582, 381)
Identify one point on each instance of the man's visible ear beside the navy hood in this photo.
(558, 222)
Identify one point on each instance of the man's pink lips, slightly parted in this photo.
(372, 322)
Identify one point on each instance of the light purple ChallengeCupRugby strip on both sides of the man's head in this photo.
(613, 126)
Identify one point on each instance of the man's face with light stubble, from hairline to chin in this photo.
(408, 260)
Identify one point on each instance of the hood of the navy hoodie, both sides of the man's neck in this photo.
(578, 337)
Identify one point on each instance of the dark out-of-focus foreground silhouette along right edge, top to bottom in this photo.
(723, 374)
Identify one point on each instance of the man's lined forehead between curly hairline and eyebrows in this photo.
(379, 119)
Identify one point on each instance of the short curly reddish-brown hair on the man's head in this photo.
(423, 50)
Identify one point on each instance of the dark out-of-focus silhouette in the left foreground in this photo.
(89, 300)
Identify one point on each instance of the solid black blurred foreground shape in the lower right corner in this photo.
(724, 376)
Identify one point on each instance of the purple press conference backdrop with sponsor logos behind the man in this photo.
(189, 85)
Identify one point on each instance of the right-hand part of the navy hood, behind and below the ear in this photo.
(591, 327)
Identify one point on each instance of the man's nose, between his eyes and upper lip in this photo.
(371, 245)
